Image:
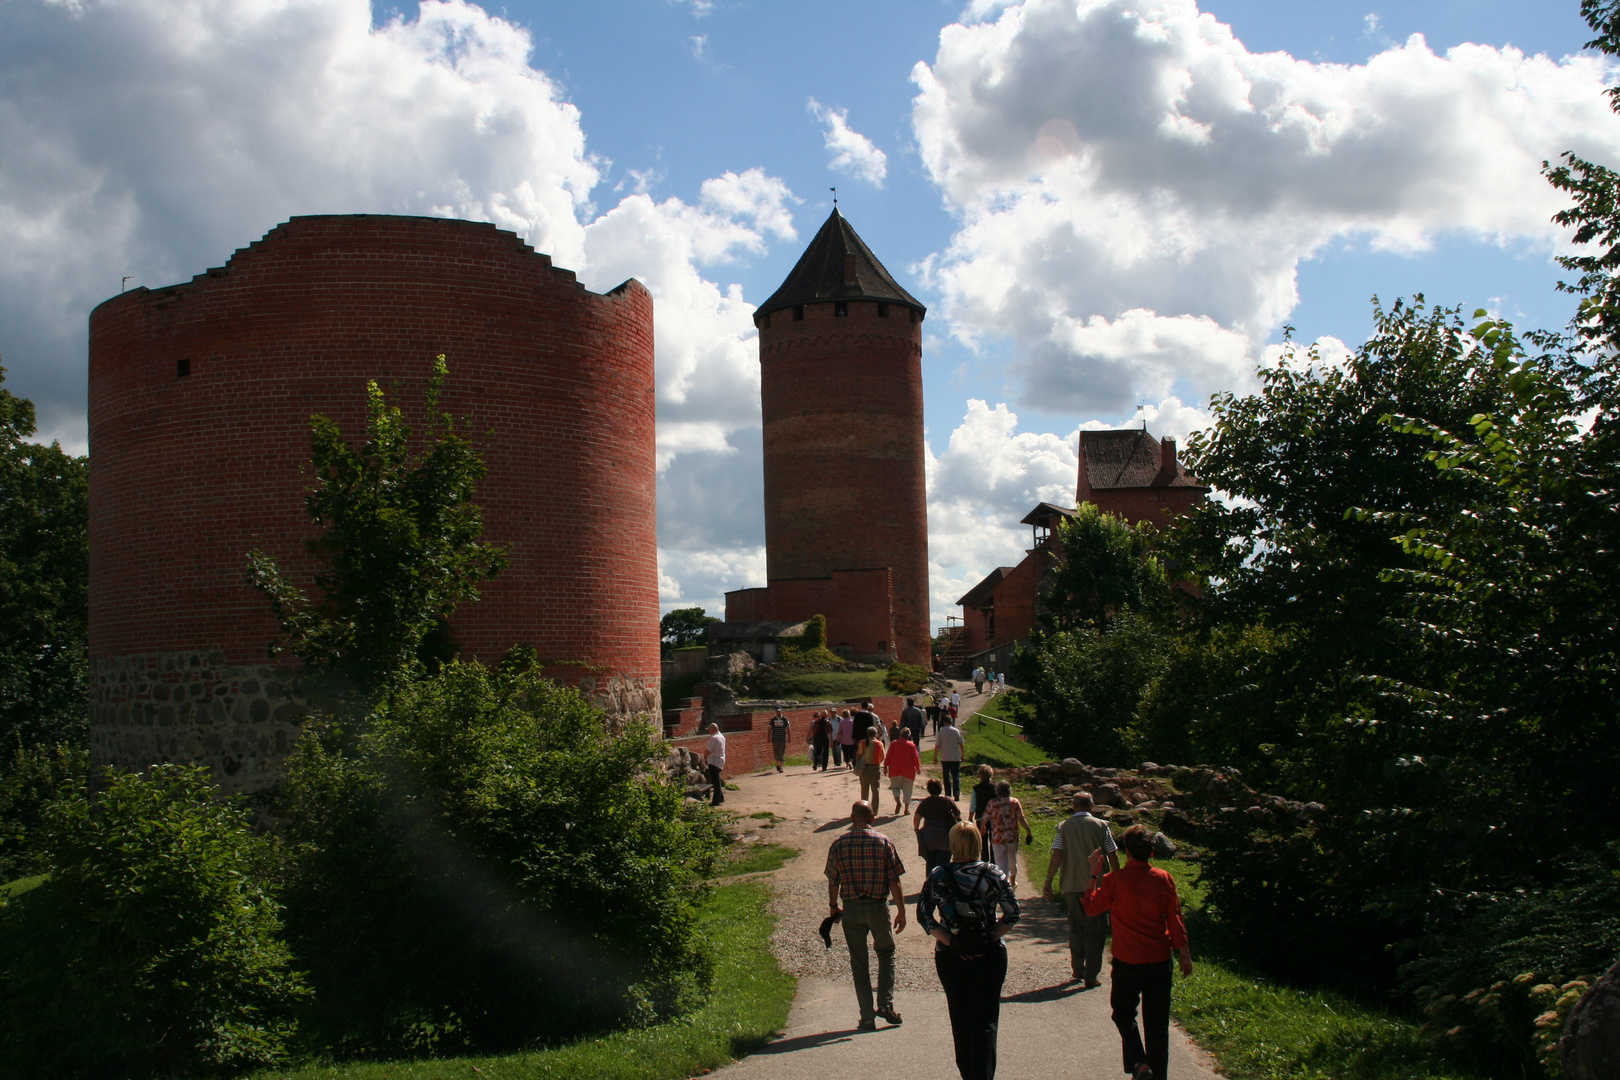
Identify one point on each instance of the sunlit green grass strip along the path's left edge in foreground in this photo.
(751, 1003)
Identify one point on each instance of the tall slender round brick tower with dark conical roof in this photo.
(846, 524)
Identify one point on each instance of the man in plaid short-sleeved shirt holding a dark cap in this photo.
(864, 870)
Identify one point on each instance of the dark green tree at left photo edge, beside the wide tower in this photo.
(45, 568)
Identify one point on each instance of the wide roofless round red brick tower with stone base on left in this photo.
(200, 402)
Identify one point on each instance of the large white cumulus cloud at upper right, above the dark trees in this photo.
(1135, 189)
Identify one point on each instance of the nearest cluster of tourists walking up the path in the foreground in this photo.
(970, 904)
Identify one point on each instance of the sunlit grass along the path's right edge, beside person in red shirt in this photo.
(1260, 1029)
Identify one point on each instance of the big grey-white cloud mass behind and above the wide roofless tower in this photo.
(151, 138)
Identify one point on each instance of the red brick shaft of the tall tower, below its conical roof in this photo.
(845, 475)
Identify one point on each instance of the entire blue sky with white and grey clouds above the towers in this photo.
(1112, 208)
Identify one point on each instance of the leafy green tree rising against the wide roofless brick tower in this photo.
(401, 548)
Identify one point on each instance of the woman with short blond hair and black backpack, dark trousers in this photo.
(968, 906)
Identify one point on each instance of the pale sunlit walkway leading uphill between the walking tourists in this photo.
(1051, 1029)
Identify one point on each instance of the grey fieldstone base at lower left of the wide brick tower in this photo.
(192, 707)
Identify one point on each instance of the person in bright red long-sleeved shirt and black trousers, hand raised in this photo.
(1148, 927)
